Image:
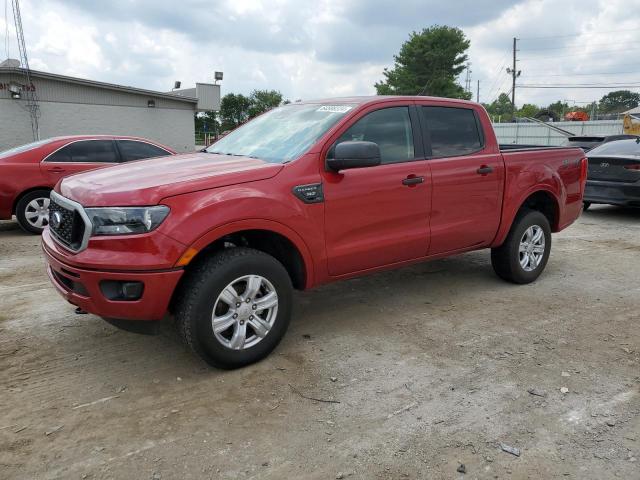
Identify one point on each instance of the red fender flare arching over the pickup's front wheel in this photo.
(260, 224)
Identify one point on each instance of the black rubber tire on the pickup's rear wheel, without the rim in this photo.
(506, 258)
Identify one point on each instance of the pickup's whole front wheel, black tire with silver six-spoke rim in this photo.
(234, 307)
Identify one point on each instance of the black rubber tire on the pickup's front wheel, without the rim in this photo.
(199, 293)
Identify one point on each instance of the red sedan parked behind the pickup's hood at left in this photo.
(28, 173)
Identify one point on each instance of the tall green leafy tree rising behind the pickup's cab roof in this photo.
(428, 64)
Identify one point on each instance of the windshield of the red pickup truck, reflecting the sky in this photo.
(282, 134)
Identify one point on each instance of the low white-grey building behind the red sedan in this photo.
(75, 106)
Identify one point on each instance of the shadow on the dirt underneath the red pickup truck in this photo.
(327, 312)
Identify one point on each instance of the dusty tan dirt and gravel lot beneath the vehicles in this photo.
(431, 366)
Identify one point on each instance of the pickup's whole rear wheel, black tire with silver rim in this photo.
(525, 252)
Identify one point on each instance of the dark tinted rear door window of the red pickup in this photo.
(453, 131)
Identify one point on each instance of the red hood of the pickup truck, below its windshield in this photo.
(147, 182)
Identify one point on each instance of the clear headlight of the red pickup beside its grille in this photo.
(126, 220)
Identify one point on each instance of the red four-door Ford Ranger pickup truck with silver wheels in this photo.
(305, 194)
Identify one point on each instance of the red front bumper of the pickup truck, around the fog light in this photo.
(81, 287)
